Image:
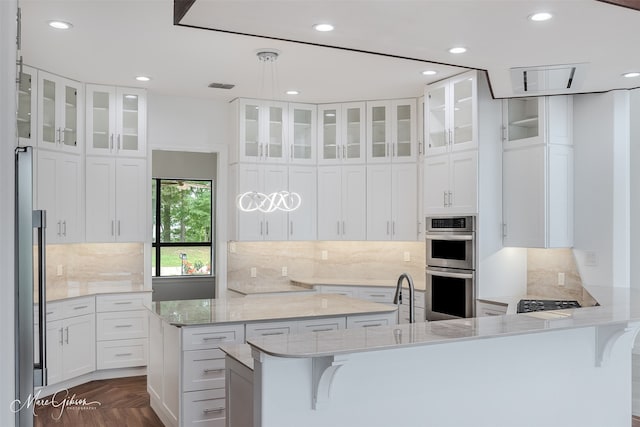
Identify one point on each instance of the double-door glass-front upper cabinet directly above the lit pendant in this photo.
(262, 129)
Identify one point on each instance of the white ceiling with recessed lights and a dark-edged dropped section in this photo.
(112, 41)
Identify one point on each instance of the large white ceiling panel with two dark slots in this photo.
(546, 80)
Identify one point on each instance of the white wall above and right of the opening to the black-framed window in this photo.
(196, 125)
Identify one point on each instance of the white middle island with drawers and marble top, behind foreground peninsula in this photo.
(185, 374)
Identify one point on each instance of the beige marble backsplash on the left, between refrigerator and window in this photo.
(95, 264)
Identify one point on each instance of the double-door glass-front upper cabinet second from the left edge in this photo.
(60, 113)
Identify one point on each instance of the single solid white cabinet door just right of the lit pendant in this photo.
(302, 221)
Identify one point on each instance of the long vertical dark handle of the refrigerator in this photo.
(40, 223)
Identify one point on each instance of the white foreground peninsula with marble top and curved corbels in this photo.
(561, 368)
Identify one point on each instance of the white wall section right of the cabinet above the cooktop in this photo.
(601, 149)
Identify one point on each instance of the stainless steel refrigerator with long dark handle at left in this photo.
(30, 288)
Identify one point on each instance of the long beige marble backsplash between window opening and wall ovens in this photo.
(344, 259)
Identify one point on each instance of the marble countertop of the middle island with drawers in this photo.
(263, 307)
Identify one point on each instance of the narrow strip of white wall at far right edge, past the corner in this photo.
(635, 188)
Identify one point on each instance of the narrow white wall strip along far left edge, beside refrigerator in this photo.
(7, 146)
